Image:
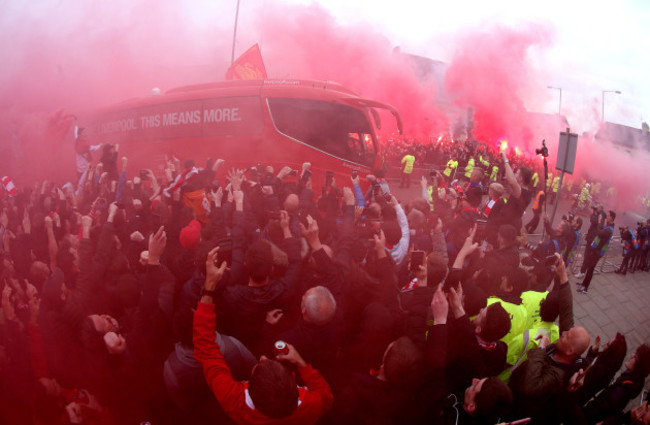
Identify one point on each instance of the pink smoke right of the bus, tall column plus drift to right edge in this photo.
(493, 72)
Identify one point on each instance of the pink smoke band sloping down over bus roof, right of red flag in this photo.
(306, 42)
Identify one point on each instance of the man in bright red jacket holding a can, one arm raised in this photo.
(271, 396)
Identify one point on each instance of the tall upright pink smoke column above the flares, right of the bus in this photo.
(491, 73)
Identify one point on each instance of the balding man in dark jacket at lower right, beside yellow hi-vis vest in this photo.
(540, 384)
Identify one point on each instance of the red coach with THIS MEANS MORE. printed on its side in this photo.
(246, 122)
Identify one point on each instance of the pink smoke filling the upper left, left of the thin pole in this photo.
(81, 56)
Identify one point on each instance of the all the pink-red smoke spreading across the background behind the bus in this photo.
(76, 58)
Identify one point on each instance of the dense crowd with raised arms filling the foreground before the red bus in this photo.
(266, 297)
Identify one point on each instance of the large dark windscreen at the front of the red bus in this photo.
(339, 130)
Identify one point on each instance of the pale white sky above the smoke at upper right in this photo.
(595, 45)
